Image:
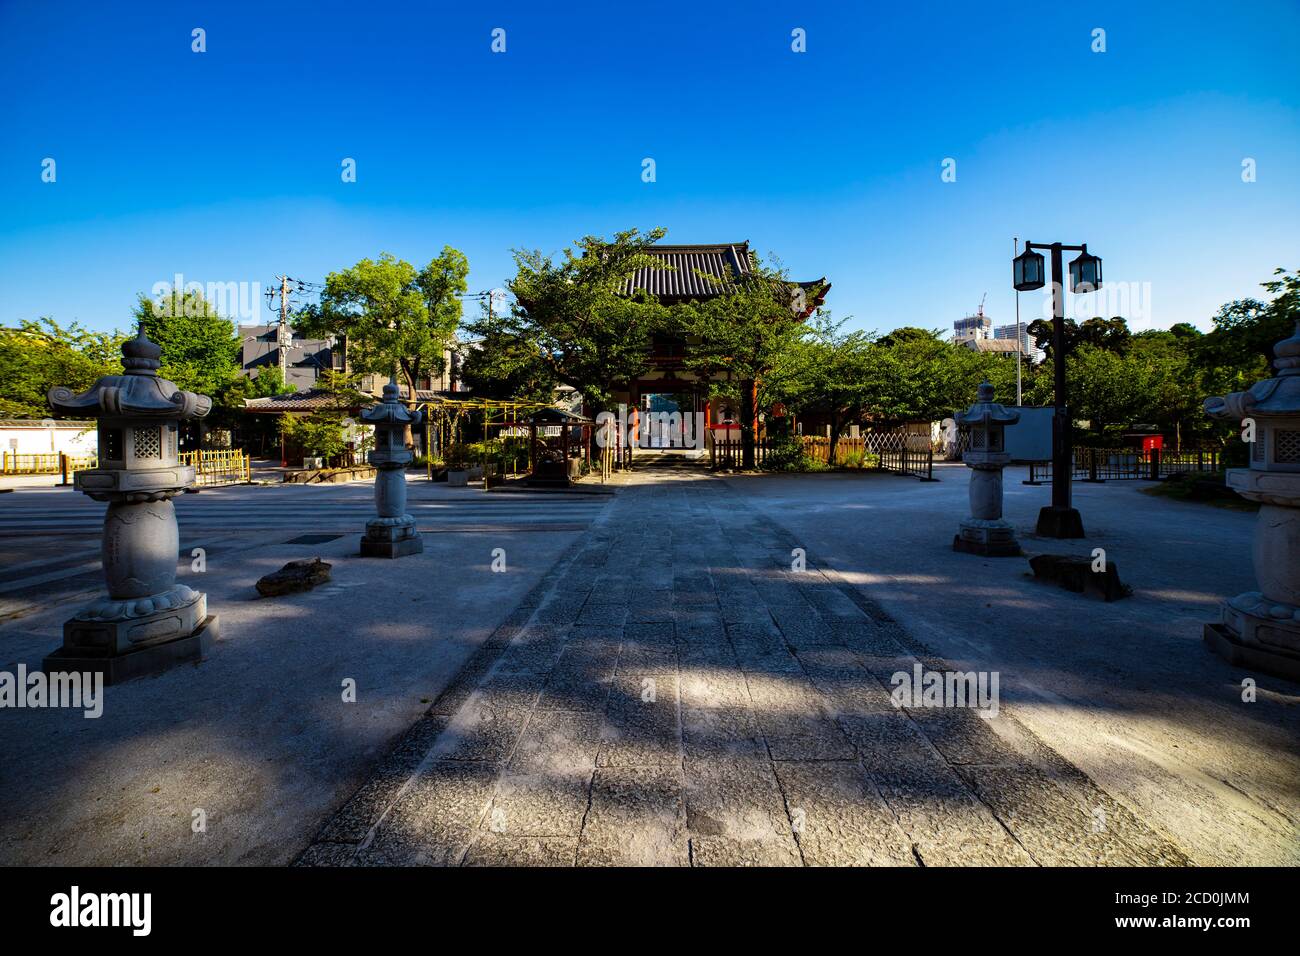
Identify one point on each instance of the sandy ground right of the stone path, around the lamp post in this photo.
(1126, 691)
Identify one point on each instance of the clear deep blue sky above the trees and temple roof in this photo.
(226, 166)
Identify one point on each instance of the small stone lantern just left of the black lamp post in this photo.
(986, 533)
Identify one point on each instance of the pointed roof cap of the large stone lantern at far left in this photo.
(137, 392)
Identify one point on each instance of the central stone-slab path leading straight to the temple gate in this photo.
(674, 694)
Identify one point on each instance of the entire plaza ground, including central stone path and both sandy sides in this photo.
(653, 682)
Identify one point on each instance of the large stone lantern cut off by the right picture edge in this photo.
(1262, 629)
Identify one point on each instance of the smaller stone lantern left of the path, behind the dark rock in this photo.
(392, 534)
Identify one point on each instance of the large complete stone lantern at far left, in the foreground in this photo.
(148, 622)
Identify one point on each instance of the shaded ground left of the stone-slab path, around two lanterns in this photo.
(258, 736)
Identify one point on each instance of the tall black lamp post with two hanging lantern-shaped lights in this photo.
(1059, 520)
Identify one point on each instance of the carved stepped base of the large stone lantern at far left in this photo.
(129, 639)
